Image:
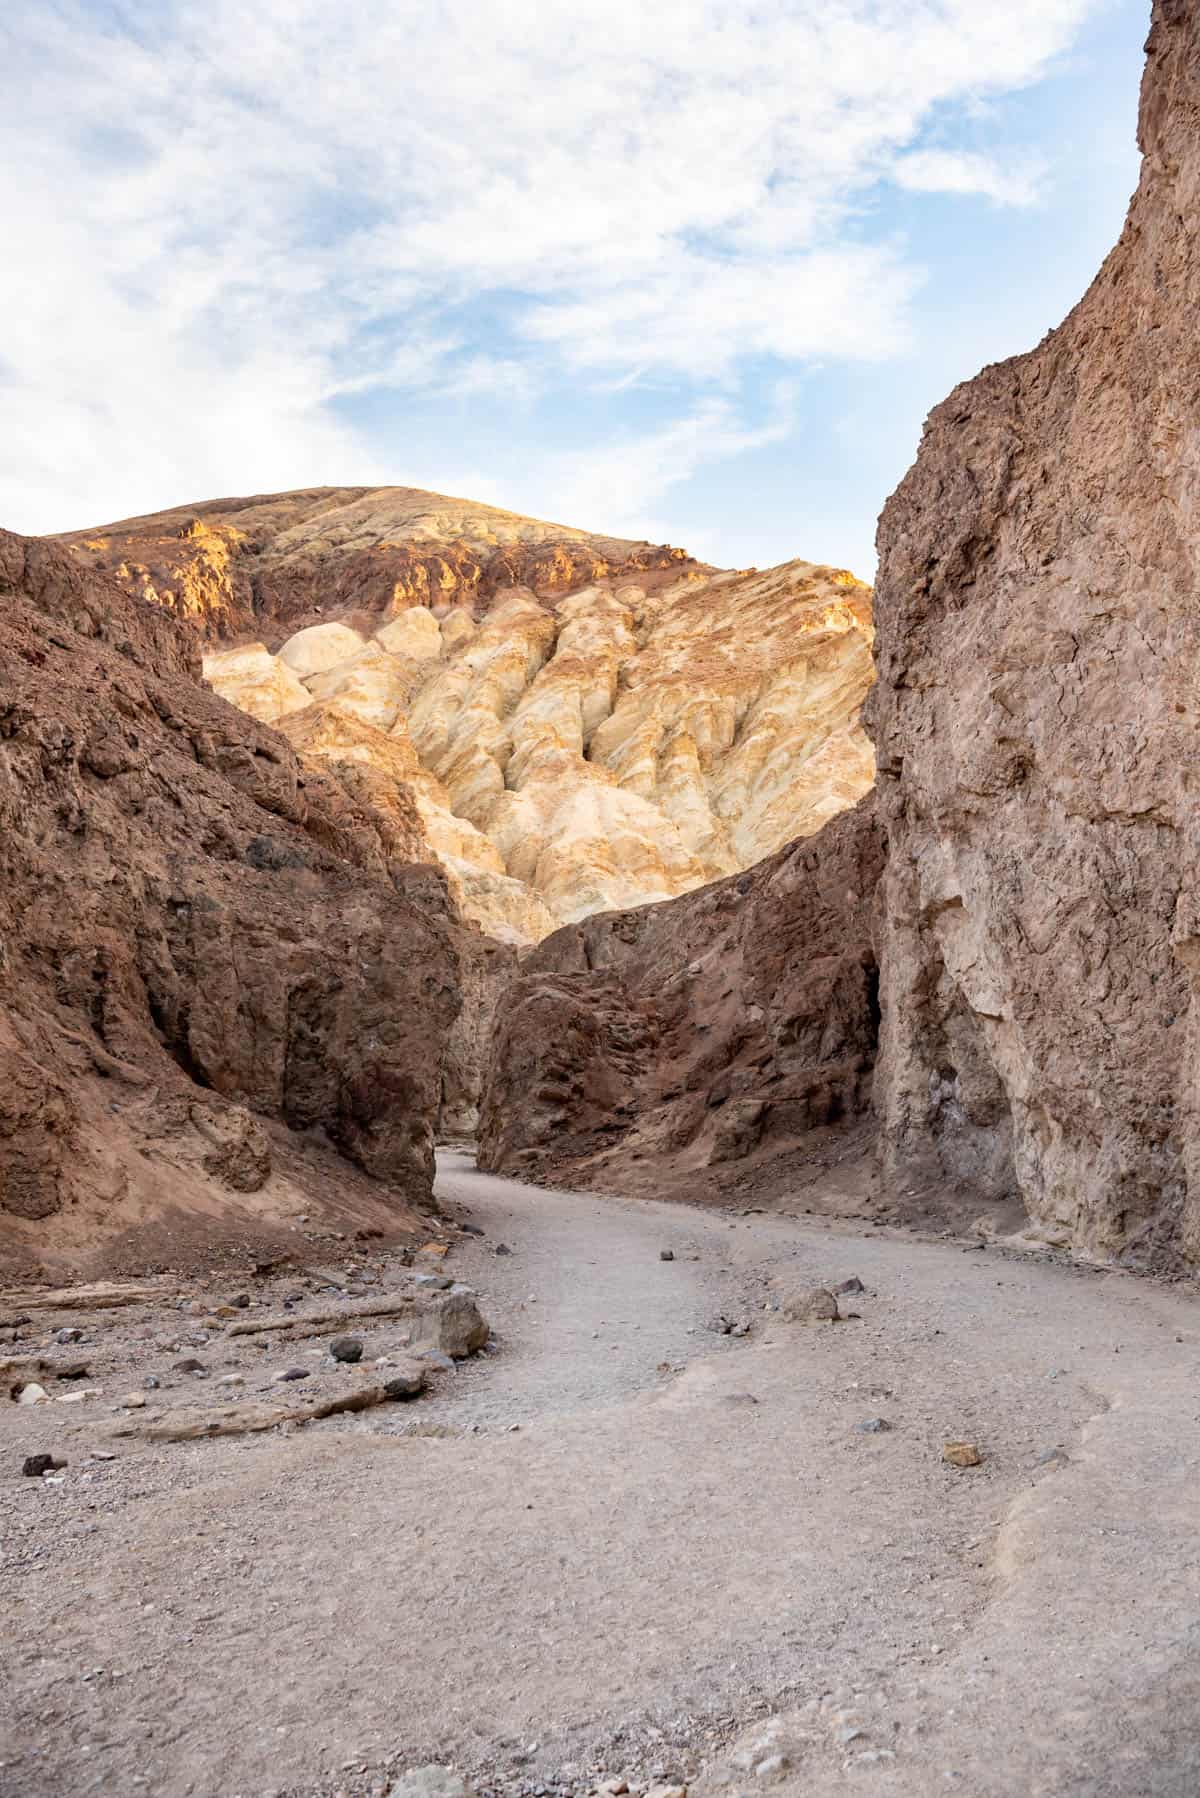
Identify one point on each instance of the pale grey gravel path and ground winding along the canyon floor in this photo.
(627, 1545)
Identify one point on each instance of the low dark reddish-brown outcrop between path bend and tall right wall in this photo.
(677, 1047)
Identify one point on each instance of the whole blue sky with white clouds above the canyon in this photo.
(690, 271)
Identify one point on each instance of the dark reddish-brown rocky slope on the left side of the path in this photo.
(220, 972)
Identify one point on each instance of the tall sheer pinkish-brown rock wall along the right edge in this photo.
(1035, 722)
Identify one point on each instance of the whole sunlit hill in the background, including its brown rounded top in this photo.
(586, 724)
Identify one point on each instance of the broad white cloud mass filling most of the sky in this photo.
(231, 215)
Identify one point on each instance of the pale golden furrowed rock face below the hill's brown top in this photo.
(605, 749)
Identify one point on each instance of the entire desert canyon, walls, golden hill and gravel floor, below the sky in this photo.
(600, 1159)
